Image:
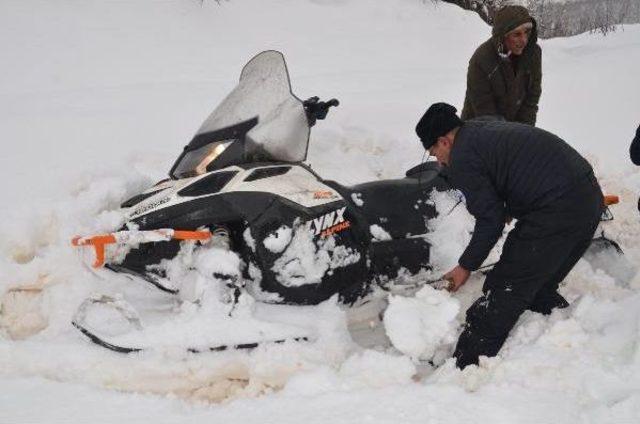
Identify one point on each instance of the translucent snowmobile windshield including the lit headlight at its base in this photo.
(260, 120)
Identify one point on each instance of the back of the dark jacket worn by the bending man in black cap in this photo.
(527, 167)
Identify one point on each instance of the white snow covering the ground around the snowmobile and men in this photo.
(98, 97)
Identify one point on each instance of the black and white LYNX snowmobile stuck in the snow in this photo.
(241, 185)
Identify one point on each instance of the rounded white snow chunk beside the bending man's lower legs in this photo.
(422, 326)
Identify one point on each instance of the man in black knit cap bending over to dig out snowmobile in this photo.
(507, 169)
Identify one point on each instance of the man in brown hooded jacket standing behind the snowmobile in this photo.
(505, 73)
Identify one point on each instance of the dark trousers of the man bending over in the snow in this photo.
(537, 255)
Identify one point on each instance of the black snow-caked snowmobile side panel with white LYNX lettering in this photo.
(285, 273)
